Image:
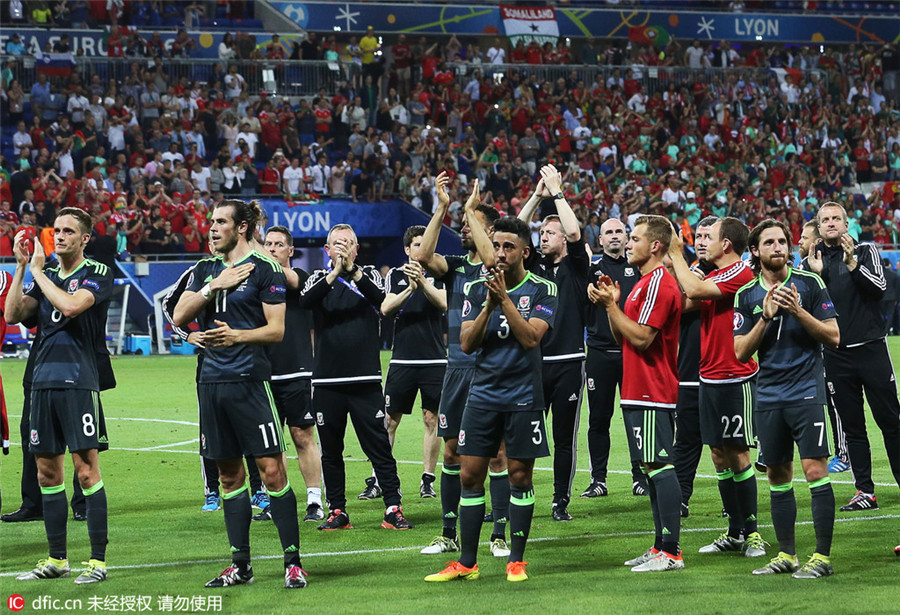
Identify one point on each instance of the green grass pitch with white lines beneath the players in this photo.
(162, 545)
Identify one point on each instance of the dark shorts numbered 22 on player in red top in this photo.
(726, 413)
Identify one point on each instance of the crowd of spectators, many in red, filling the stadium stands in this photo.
(148, 156)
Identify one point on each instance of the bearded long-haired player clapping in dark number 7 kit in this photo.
(771, 319)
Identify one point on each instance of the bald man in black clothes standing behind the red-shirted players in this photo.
(604, 359)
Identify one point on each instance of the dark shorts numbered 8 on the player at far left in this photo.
(66, 417)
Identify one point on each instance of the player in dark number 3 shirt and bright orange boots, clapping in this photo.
(505, 316)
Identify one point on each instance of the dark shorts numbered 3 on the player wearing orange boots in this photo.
(483, 431)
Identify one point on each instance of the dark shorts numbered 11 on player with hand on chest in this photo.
(238, 419)
